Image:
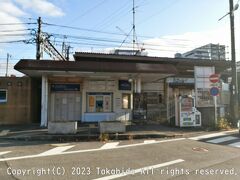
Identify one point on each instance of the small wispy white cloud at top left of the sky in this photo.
(43, 7)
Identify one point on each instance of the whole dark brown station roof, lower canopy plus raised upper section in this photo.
(92, 62)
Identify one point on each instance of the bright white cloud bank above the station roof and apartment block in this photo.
(167, 46)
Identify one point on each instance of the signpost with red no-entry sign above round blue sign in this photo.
(214, 91)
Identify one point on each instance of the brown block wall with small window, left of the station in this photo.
(17, 109)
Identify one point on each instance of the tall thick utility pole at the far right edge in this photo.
(234, 83)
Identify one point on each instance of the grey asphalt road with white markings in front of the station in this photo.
(216, 157)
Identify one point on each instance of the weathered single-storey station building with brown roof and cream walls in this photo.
(110, 87)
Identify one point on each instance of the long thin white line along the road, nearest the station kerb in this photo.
(88, 150)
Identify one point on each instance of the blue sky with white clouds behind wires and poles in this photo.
(163, 27)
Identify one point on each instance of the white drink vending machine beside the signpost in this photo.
(188, 115)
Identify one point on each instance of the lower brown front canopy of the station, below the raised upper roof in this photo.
(26, 66)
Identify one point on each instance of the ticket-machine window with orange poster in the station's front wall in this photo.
(99, 102)
